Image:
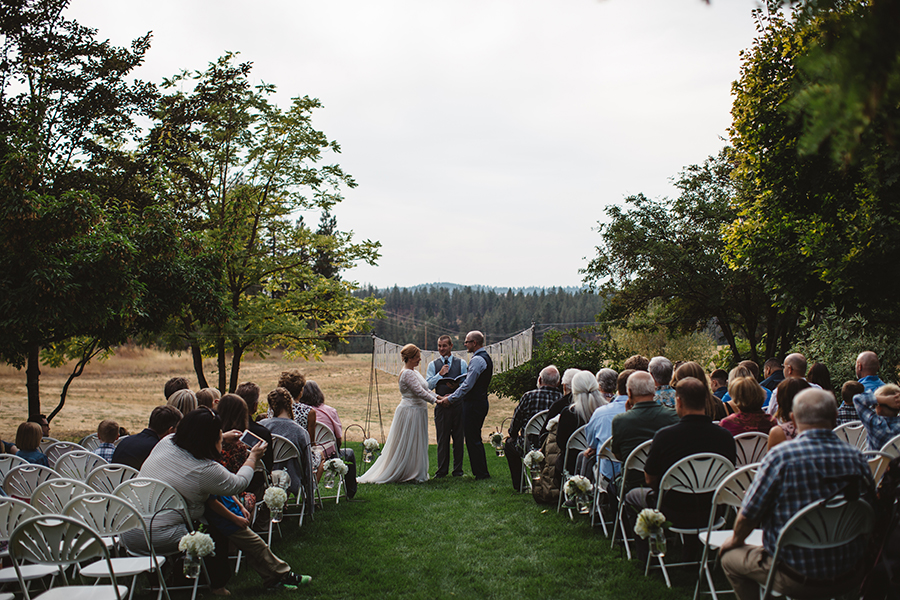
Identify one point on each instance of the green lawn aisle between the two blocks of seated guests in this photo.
(455, 538)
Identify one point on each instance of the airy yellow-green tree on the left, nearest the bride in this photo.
(239, 170)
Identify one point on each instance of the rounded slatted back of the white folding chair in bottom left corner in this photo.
(57, 540)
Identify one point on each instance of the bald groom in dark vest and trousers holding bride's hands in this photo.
(473, 395)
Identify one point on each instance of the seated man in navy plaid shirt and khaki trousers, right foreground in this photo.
(794, 474)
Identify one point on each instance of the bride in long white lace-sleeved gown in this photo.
(405, 454)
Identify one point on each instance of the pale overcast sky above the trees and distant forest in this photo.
(486, 136)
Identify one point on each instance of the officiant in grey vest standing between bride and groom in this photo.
(444, 375)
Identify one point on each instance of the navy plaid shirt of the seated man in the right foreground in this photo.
(793, 475)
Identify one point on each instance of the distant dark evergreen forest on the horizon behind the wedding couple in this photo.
(419, 315)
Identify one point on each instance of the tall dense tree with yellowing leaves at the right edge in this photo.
(813, 231)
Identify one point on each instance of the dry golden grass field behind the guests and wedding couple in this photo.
(127, 386)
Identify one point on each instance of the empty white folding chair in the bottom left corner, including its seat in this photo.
(61, 541)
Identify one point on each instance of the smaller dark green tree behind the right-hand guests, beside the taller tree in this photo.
(668, 254)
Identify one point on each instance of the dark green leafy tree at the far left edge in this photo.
(80, 243)
